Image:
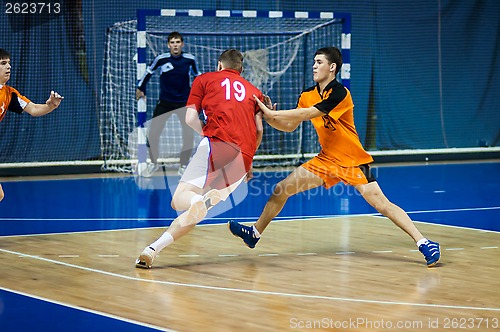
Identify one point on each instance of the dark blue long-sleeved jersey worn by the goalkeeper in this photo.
(174, 76)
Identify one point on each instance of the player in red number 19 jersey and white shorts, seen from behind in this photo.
(221, 108)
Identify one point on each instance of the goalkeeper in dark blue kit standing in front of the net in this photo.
(175, 68)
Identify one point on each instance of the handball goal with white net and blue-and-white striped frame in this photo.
(278, 51)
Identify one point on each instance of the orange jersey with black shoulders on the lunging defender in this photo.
(336, 131)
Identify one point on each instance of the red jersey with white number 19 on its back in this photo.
(226, 99)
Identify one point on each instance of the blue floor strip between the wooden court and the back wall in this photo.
(437, 193)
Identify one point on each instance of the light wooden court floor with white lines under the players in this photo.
(353, 273)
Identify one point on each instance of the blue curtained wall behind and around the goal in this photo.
(431, 67)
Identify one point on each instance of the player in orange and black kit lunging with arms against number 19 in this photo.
(329, 106)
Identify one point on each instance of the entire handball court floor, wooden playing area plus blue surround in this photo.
(345, 271)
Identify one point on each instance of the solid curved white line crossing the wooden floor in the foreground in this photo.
(253, 291)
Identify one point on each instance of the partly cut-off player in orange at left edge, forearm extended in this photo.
(12, 100)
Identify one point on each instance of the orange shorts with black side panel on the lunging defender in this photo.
(331, 173)
